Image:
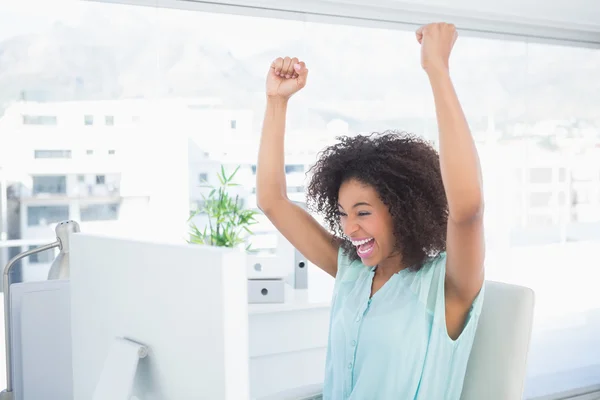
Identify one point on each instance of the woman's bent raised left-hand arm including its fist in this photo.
(286, 77)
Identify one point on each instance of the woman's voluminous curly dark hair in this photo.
(405, 171)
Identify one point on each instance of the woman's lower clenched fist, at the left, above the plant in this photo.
(286, 77)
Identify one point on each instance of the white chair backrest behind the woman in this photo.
(498, 361)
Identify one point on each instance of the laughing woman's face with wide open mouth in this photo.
(366, 221)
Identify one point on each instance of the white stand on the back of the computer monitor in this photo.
(120, 367)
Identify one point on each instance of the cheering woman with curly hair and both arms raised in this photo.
(407, 250)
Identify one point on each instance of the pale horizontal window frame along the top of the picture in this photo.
(395, 15)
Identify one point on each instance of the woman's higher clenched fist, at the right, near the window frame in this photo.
(436, 42)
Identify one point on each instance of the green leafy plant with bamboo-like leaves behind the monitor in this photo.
(228, 222)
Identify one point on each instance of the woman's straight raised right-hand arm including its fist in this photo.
(461, 172)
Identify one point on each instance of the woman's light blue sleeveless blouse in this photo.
(394, 345)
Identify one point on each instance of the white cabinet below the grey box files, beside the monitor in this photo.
(288, 343)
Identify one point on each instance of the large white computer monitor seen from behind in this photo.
(187, 303)
